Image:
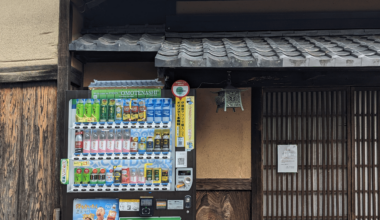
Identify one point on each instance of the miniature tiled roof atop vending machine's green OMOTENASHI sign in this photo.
(125, 83)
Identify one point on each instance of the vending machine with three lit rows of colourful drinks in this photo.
(129, 158)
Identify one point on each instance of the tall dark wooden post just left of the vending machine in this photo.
(63, 84)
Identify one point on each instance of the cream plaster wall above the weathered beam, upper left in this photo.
(29, 33)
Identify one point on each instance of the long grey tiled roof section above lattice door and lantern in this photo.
(304, 51)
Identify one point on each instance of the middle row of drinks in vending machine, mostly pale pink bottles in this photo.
(121, 141)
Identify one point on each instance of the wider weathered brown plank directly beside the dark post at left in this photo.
(37, 170)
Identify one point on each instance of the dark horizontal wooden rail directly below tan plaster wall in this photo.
(223, 184)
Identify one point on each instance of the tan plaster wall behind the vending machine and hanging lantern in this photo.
(223, 139)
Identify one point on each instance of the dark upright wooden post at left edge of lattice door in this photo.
(257, 154)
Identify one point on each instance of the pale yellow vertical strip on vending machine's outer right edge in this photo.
(189, 122)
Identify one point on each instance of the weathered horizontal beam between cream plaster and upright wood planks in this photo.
(28, 73)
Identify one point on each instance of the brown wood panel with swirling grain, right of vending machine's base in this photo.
(226, 205)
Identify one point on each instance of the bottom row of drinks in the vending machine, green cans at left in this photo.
(120, 176)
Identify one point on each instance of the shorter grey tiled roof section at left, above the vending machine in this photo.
(108, 42)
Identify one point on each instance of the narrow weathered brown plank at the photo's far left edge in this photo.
(10, 146)
